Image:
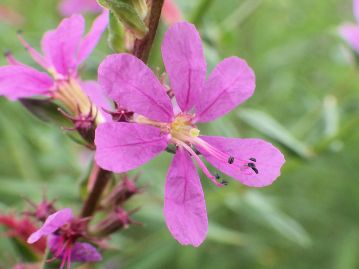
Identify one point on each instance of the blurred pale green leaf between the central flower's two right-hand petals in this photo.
(270, 127)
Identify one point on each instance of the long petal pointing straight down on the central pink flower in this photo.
(184, 204)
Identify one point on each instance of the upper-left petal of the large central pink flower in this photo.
(128, 81)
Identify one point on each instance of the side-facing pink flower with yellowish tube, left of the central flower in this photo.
(64, 50)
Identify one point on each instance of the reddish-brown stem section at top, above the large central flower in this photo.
(143, 46)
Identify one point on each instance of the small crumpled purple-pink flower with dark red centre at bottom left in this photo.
(62, 231)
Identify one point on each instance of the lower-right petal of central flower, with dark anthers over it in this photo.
(269, 159)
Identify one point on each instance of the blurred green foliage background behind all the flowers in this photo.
(306, 103)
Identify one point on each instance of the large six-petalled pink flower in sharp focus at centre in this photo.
(157, 123)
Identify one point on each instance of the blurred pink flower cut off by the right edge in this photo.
(350, 31)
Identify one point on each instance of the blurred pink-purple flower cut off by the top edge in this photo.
(69, 7)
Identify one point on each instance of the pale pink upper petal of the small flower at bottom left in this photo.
(52, 223)
